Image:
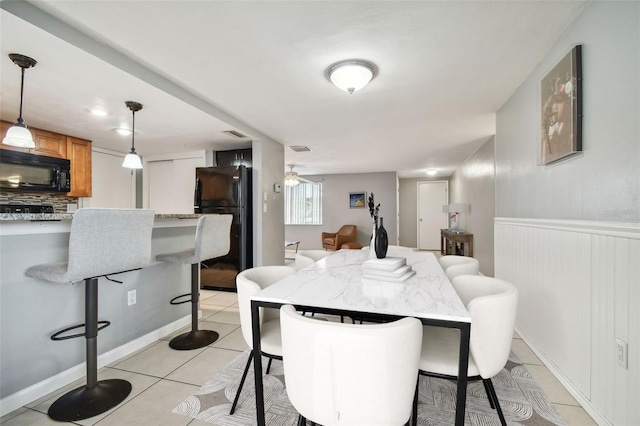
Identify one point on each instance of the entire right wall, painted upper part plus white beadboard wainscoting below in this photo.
(600, 186)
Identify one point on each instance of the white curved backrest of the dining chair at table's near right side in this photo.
(492, 304)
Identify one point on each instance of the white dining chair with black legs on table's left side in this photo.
(248, 283)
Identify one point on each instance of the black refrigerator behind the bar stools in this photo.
(226, 190)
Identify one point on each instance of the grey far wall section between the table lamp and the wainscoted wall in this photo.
(473, 183)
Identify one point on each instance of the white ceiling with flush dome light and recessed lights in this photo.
(259, 68)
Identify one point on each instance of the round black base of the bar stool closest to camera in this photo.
(83, 403)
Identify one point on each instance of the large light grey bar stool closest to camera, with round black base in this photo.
(102, 242)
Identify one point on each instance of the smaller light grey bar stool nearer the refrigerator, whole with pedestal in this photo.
(212, 240)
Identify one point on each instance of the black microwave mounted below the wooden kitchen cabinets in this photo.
(20, 171)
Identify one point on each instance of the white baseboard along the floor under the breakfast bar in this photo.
(40, 389)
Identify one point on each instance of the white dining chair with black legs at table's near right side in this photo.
(492, 304)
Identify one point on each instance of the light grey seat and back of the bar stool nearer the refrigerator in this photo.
(213, 239)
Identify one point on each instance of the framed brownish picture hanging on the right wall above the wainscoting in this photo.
(561, 109)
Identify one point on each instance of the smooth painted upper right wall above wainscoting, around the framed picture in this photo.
(604, 182)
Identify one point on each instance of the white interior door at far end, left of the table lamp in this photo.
(432, 195)
